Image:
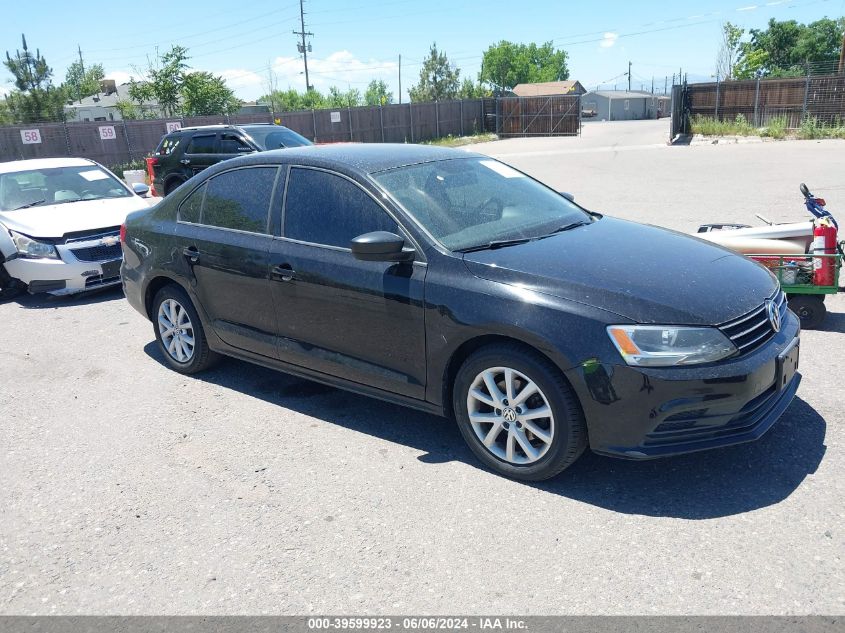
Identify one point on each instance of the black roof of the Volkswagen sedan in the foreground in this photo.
(362, 157)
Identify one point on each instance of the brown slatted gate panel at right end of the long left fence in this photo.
(539, 116)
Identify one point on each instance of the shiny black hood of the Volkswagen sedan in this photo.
(644, 273)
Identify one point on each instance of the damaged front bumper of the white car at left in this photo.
(79, 268)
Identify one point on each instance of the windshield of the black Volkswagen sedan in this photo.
(470, 202)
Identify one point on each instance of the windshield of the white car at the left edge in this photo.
(57, 185)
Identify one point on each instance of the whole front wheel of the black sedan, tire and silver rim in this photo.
(554, 441)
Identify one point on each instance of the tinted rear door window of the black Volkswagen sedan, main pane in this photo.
(240, 199)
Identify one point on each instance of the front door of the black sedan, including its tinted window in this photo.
(361, 321)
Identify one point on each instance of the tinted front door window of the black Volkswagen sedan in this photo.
(323, 208)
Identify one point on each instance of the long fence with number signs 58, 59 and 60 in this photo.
(114, 143)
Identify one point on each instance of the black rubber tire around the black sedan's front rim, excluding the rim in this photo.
(570, 431)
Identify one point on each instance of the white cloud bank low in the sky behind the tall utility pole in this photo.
(341, 69)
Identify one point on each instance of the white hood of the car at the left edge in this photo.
(56, 220)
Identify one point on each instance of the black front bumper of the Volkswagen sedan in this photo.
(640, 413)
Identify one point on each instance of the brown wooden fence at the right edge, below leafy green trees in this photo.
(761, 100)
